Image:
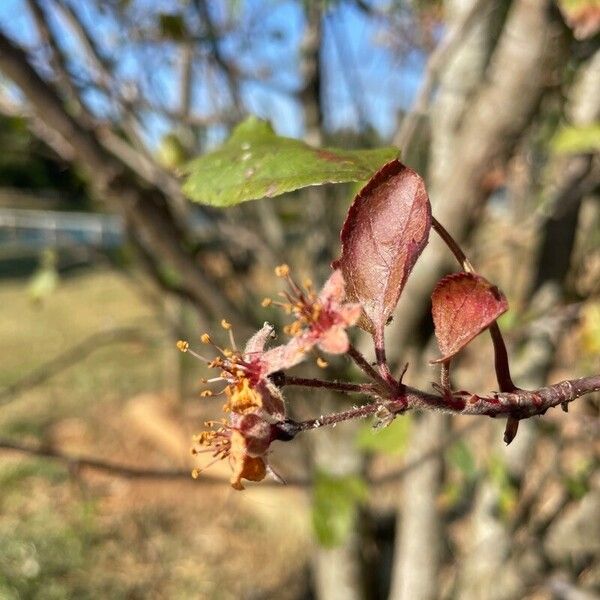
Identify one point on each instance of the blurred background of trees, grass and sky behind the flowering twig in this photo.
(104, 265)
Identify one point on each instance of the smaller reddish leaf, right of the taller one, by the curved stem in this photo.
(463, 305)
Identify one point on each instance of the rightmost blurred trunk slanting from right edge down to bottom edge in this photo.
(490, 536)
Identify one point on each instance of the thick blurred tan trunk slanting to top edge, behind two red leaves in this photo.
(522, 67)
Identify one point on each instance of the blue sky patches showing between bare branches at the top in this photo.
(365, 82)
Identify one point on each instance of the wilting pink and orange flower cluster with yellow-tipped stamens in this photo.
(255, 408)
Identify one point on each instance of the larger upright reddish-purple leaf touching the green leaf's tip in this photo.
(385, 231)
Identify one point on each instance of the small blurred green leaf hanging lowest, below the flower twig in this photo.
(335, 501)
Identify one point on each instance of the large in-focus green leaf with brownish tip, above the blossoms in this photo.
(255, 162)
